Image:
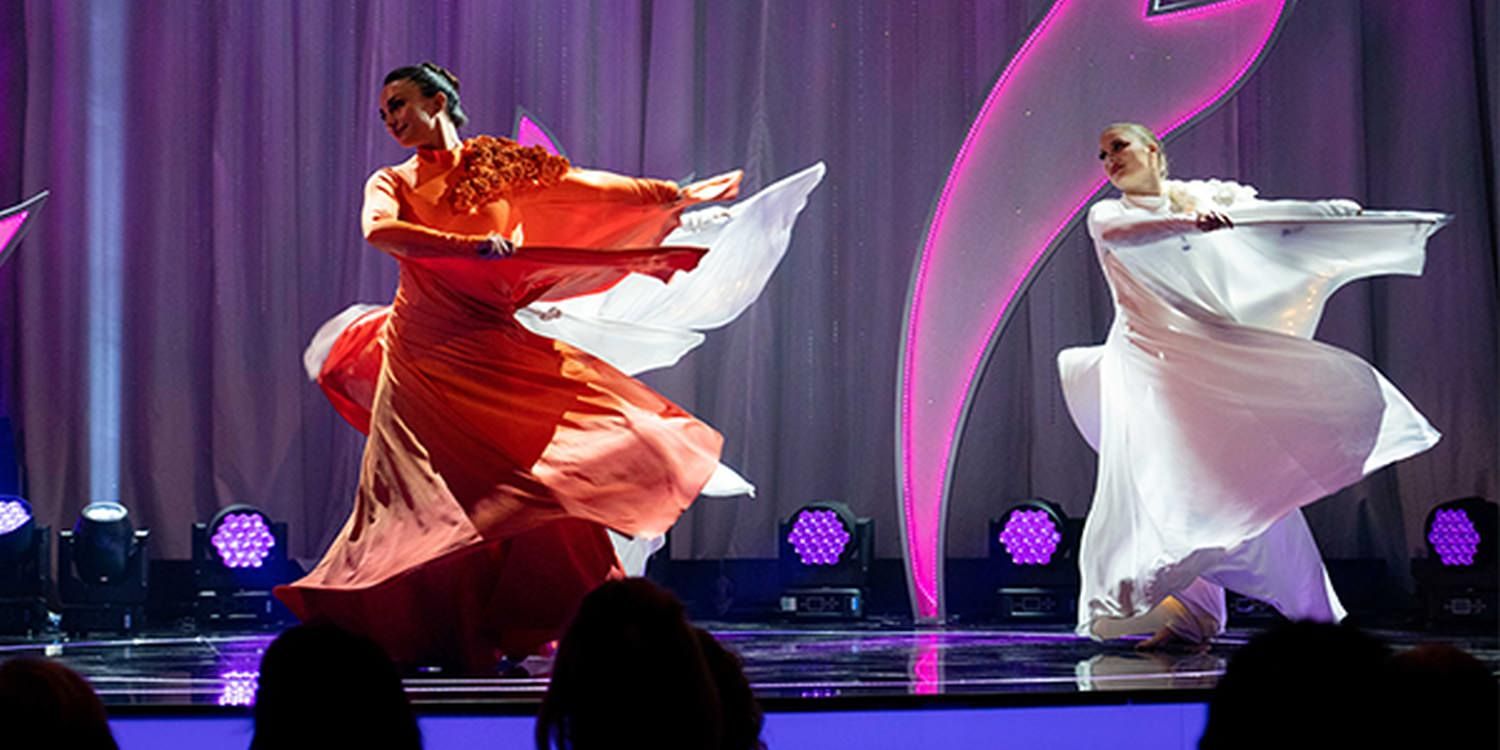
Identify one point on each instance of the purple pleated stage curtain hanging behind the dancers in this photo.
(248, 128)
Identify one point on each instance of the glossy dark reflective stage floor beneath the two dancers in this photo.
(790, 668)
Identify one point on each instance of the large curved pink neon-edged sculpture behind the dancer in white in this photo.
(1016, 187)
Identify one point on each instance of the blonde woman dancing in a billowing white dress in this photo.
(1214, 413)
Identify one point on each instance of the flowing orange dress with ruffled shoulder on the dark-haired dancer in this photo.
(499, 458)
